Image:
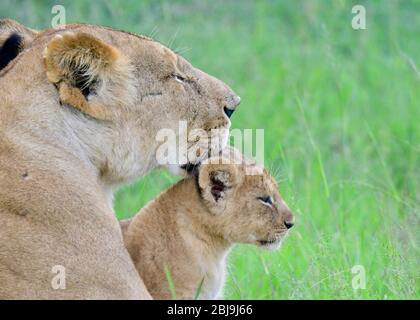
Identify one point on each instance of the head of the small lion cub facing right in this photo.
(243, 203)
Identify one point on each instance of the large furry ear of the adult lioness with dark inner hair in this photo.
(76, 63)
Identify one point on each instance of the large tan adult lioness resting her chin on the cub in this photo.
(79, 112)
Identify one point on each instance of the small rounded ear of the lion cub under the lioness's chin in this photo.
(216, 178)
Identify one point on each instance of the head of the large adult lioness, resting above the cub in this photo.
(150, 97)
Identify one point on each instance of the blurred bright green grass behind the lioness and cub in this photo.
(341, 112)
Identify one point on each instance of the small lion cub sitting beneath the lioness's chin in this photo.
(188, 230)
